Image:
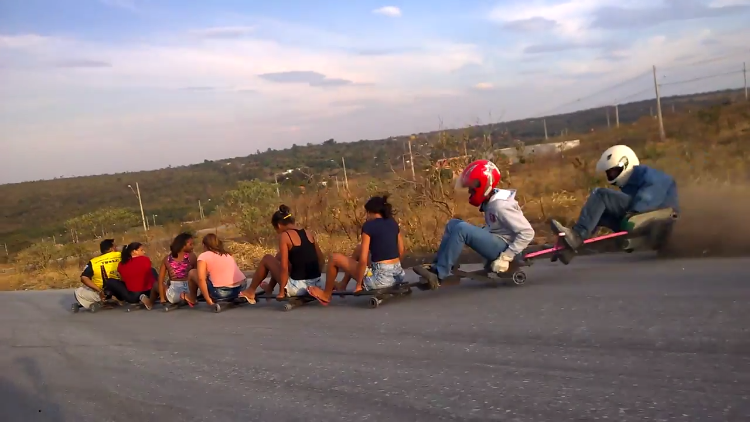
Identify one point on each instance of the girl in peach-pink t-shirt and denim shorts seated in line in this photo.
(218, 277)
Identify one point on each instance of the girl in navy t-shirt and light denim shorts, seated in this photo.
(382, 239)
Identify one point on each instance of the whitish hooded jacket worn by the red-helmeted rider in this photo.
(504, 218)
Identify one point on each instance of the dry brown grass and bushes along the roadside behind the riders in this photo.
(706, 145)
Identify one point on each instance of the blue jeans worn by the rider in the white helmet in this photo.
(605, 208)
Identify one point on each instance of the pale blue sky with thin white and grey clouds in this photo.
(105, 86)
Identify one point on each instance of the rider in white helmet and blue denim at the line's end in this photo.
(642, 189)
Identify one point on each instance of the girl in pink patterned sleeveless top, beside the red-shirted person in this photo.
(177, 266)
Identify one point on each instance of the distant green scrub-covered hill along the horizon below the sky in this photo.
(33, 210)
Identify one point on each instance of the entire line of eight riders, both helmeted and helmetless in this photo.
(298, 266)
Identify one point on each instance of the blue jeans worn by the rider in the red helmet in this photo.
(459, 233)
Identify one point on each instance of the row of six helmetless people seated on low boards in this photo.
(128, 276)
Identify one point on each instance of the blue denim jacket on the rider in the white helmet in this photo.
(650, 189)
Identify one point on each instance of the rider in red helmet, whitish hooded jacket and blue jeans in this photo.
(506, 233)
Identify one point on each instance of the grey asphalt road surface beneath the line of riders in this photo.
(618, 338)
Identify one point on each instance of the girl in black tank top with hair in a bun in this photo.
(296, 267)
